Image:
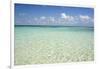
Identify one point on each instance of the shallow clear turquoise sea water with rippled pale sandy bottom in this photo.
(43, 45)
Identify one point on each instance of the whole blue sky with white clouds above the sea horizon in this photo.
(30, 14)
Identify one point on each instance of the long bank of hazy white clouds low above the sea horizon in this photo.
(63, 19)
